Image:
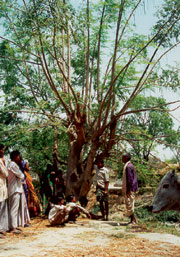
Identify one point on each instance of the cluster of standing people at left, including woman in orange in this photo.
(17, 195)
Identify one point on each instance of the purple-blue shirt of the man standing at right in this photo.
(131, 178)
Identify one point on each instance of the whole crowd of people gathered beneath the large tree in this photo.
(18, 199)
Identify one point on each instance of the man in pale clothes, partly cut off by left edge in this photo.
(3, 194)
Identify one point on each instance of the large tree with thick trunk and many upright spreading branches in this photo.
(80, 67)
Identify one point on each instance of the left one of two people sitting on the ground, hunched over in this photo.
(58, 214)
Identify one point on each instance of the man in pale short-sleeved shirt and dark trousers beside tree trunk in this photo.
(102, 183)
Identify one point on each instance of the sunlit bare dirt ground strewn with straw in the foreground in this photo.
(88, 238)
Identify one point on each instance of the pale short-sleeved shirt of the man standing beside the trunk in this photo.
(102, 176)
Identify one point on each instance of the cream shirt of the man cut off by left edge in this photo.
(3, 184)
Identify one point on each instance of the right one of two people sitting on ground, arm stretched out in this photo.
(74, 208)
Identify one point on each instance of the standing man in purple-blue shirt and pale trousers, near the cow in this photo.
(130, 185)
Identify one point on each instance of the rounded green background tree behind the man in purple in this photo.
(142, 129)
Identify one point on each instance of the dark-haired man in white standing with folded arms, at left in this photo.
(15, 189)
